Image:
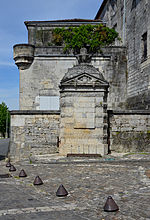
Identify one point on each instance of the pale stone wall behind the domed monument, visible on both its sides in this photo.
(43, 77)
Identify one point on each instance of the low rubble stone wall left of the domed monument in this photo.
(33, 132)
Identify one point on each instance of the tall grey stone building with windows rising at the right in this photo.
(131, 18)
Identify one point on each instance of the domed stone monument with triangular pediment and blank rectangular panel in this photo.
(84, 132)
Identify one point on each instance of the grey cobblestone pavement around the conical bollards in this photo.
(88, 184)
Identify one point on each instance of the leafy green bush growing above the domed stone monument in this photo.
(92, 37)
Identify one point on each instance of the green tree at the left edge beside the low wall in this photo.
(4, 118)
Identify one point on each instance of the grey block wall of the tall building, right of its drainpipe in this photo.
(138, 23)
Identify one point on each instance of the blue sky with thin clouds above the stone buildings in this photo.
(13, 31)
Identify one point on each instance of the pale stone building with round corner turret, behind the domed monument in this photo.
(42, 65)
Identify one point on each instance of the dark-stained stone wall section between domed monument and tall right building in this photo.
(113, 65)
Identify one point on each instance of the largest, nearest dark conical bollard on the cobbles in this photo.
(110, 205)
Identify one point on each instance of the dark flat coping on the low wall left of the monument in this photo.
(34, 112)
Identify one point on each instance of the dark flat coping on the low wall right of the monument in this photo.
(129, 112)
